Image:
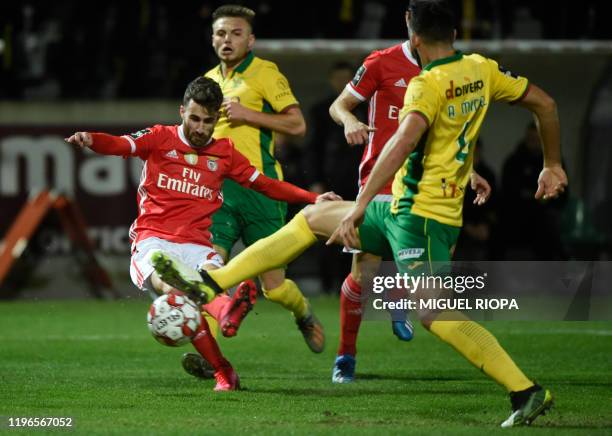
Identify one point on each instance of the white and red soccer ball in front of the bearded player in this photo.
(173, 319)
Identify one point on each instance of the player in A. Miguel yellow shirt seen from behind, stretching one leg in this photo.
(431, 157)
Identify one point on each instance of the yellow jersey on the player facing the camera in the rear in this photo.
(258, 85)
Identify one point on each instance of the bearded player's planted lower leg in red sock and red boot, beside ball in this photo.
(206, 345)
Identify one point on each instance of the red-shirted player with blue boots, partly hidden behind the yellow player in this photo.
(381, 80)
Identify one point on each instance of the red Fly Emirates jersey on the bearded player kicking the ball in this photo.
(180, 186)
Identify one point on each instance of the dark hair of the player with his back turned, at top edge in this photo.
(432, 20)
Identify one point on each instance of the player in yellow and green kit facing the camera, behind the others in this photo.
(258, 102)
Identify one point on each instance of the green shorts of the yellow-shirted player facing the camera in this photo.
(246, 215)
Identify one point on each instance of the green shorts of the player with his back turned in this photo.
(410, 240)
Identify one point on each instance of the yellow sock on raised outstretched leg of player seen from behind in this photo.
(267, 254)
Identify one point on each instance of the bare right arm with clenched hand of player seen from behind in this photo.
(552, 180)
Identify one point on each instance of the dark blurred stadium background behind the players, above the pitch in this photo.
(62, 70)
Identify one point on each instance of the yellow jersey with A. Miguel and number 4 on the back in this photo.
(453, 95)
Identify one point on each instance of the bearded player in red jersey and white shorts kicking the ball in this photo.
(180, 189)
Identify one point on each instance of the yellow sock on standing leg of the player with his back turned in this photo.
(482, 349)
